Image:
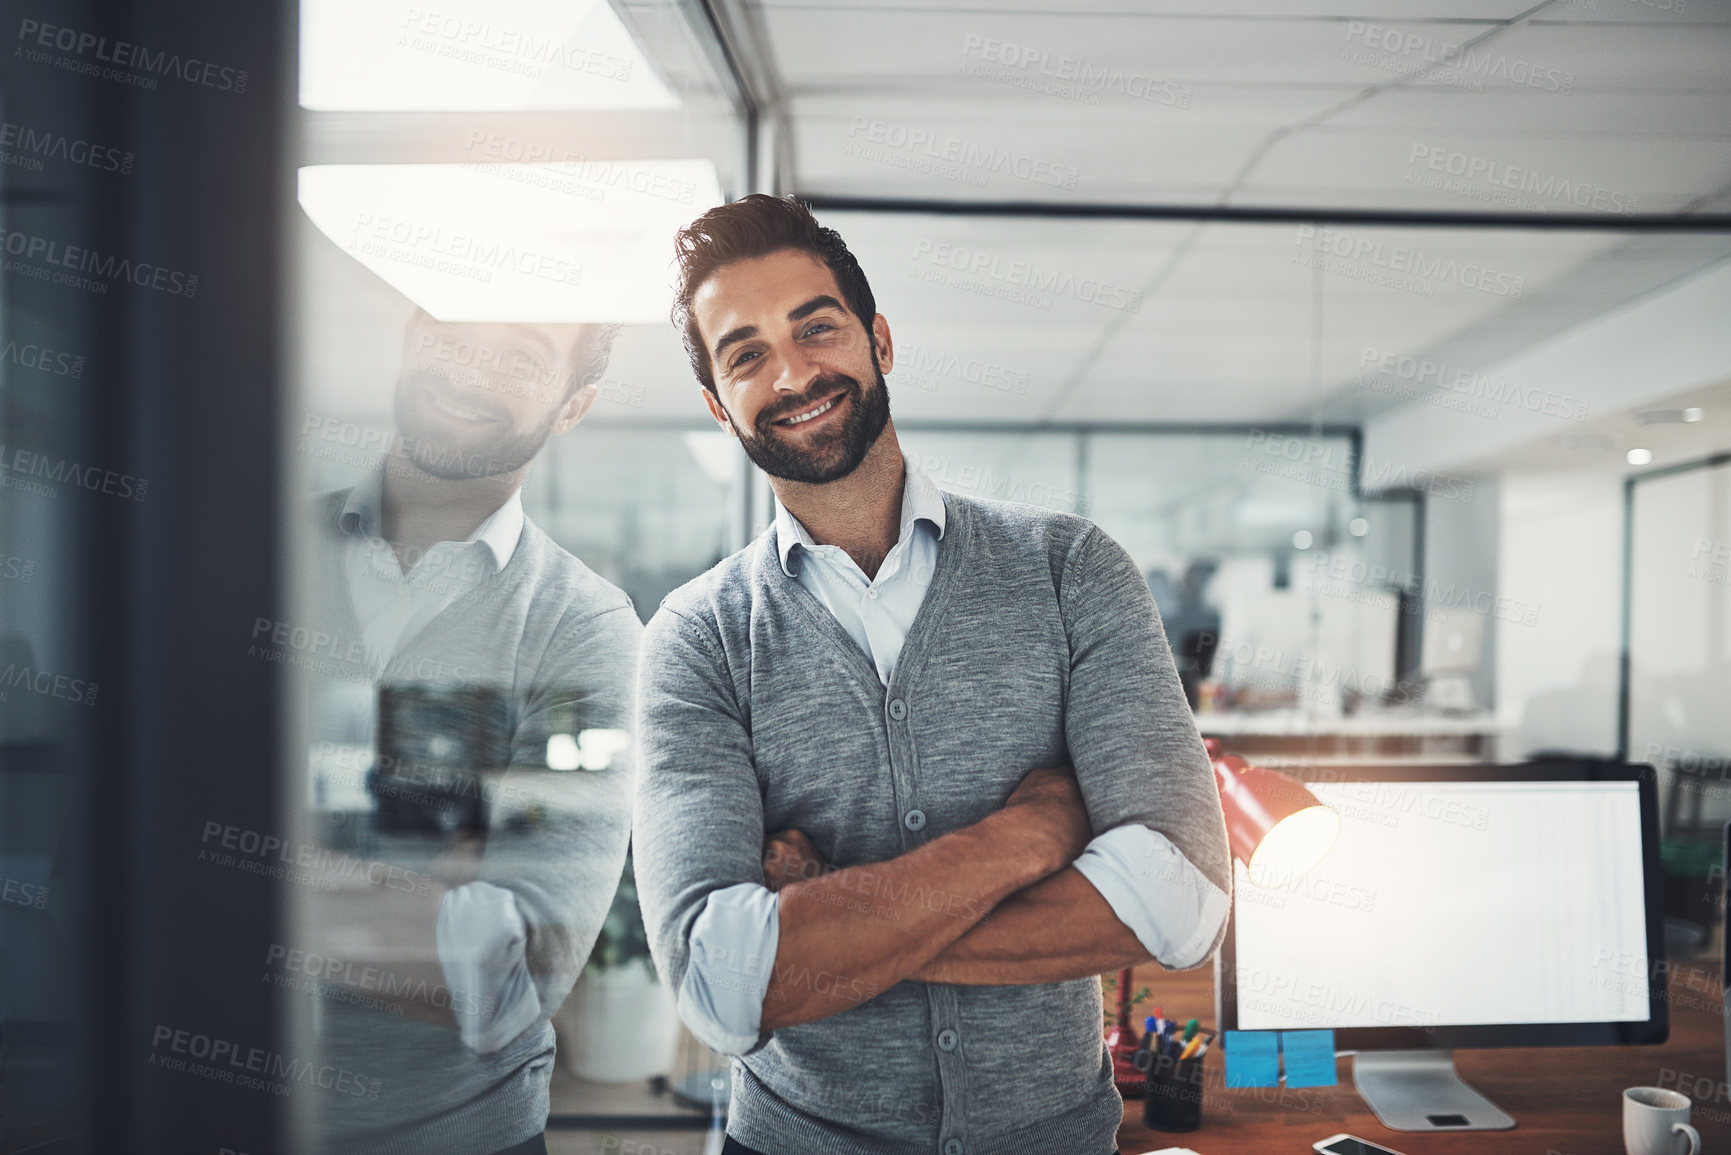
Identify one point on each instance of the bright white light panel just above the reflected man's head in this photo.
(579, 242)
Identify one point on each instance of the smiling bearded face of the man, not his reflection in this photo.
(795, 377)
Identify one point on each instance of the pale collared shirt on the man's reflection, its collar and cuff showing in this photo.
(482, 938)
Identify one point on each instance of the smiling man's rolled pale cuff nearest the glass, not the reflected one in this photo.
(733, 953)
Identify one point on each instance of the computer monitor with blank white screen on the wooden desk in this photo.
(1464, 907)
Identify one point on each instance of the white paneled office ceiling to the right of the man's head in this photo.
(1593, 106)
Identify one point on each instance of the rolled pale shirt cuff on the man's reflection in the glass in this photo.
(482, 950)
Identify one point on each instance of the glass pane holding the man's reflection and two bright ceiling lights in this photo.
(489, 513)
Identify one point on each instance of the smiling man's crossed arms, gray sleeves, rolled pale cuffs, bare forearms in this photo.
(761, 929)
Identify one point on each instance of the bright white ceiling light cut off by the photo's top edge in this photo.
(473, 56)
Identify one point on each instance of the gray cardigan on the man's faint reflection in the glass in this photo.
(563, 647)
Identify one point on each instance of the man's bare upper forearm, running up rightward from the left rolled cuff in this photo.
(851, 934)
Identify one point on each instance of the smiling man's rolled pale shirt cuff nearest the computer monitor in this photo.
(1173, 908)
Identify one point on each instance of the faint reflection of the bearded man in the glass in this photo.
(468, 719)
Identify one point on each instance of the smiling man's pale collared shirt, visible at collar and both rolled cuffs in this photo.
(1171, 907)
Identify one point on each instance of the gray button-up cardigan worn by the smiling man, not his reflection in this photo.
(1038, 645)
